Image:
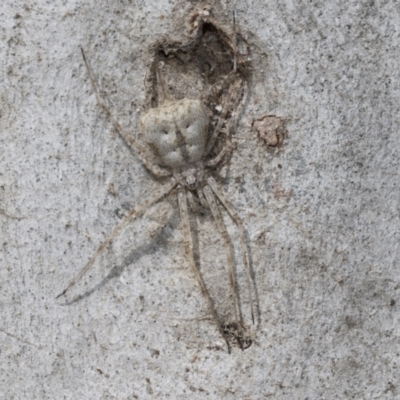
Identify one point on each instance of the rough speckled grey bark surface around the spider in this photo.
(321, 212)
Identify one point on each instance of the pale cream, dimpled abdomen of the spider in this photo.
(177, 132)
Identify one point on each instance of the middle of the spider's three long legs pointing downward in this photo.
(228, 249)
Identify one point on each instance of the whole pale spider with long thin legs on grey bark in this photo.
(178, 145)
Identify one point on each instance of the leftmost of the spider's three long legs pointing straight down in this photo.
(189, 252)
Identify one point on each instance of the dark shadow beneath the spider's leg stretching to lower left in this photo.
(158, 242)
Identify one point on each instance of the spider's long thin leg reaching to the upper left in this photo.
(132, 143)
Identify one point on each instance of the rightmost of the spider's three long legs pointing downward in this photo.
(214, 186)
